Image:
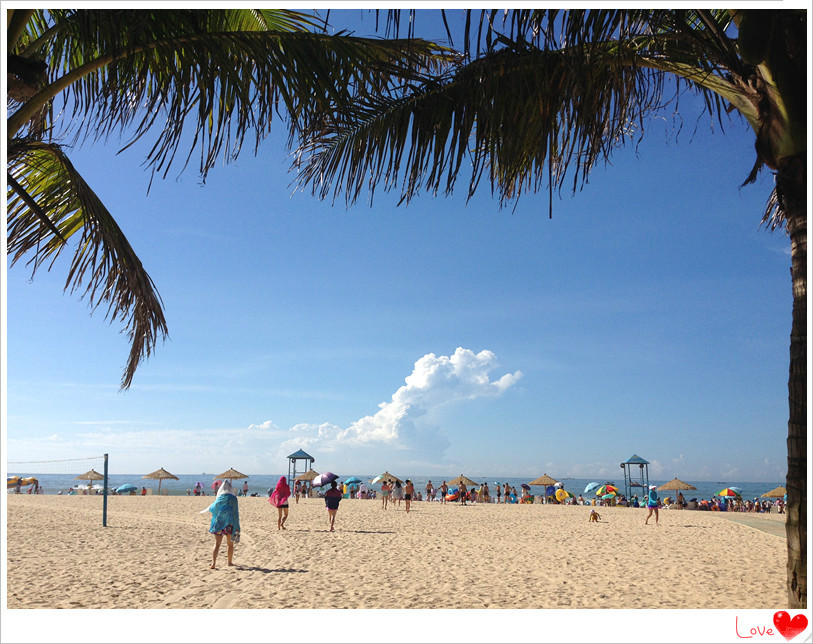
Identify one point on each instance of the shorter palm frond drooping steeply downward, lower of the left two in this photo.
(104, 267)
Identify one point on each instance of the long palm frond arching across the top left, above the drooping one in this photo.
(147, 69)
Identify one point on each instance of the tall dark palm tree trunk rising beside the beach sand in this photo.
(791, 190)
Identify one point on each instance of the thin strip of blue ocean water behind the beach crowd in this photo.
(262, 483)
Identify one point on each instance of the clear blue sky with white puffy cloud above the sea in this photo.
(650, 315)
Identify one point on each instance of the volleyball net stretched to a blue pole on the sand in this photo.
(73, 476)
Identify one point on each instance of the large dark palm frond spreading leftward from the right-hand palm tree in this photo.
(553, 93)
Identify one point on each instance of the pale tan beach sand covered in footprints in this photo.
(156, 551)
